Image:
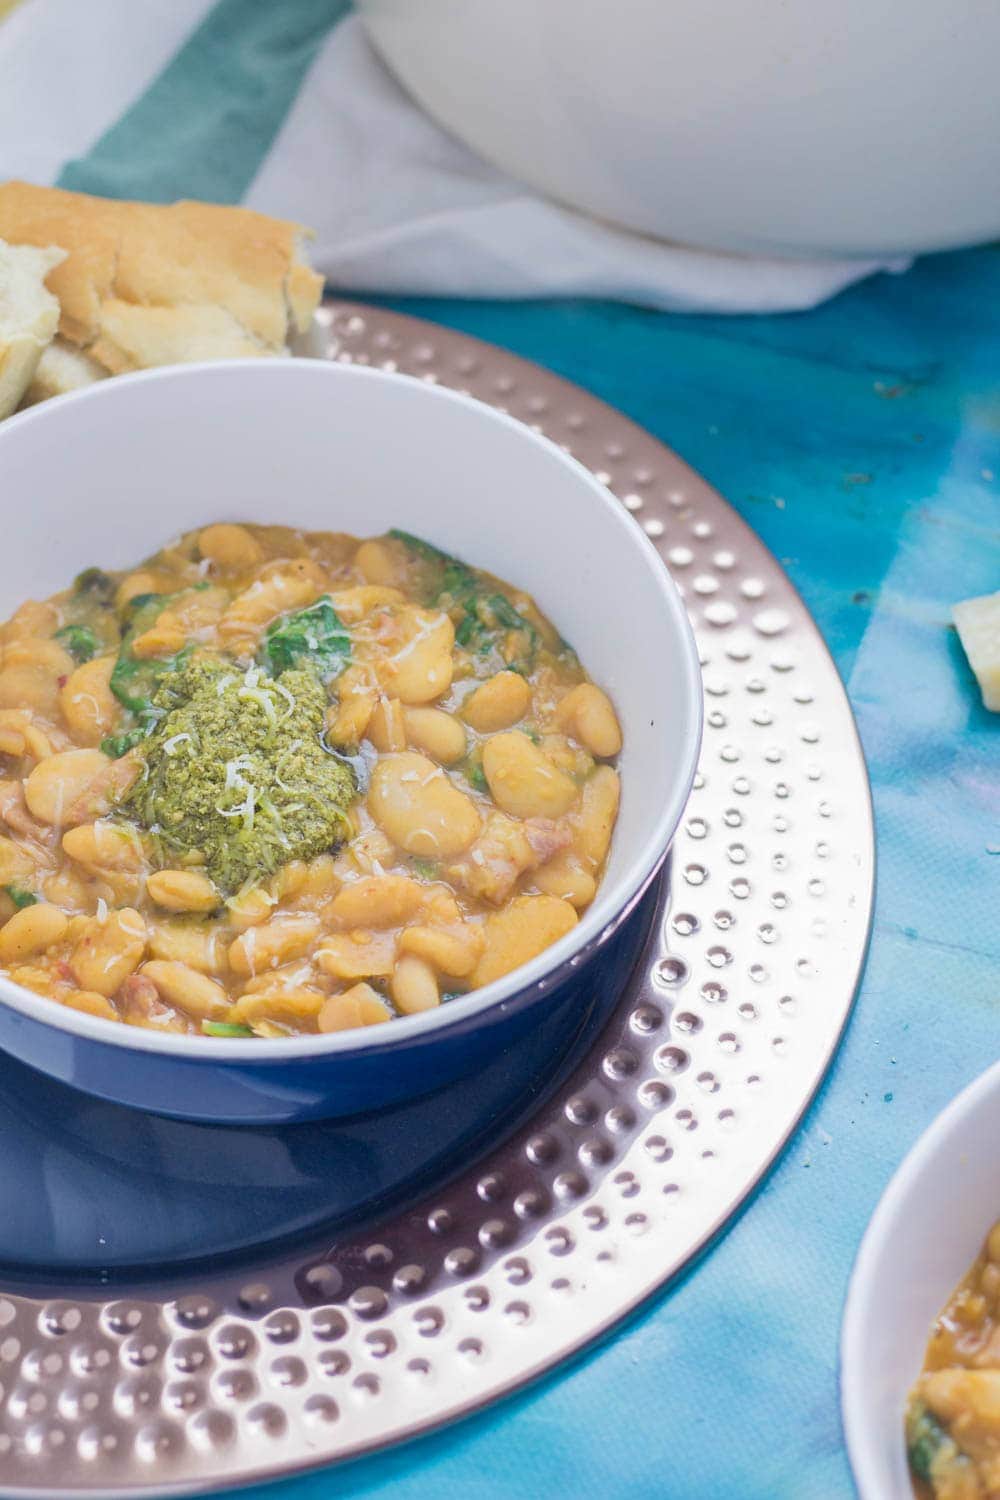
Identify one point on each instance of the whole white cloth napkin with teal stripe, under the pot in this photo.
(400, 205)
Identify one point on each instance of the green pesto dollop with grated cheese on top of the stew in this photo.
(236, 772)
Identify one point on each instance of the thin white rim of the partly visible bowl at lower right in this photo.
(863, 1444)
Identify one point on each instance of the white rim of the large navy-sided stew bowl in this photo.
(603, 914)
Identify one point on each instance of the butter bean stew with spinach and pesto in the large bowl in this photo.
(277, 784)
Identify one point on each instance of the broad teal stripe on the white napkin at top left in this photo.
(206, 124)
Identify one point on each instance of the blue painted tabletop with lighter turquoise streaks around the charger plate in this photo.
(860, 440)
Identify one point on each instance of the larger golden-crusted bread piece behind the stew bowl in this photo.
(161, 284)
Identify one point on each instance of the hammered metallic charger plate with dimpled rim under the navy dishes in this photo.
(212, 1379)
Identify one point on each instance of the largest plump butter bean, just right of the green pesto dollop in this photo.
(418, 806)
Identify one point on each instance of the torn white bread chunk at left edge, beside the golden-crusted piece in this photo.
(29, 317)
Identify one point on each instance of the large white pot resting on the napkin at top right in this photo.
(782, 127)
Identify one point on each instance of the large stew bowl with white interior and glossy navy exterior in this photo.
(110, 475)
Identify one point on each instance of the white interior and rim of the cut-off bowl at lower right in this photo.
(923, 1240)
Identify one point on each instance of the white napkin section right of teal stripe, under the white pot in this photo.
(404, 208)
